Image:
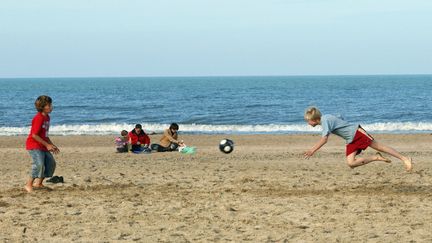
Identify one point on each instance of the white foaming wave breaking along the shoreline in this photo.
(115, 128)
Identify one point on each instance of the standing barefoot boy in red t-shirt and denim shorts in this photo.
(40, 146)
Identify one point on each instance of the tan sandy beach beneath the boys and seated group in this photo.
(262, 192)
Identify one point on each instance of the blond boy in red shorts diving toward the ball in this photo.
(356, 137)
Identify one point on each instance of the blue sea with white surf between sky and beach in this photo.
(218, 105)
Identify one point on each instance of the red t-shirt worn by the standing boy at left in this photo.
(40, 127)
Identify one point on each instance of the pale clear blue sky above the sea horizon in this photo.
(76, 38)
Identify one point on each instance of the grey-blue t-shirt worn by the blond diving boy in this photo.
(335, 125)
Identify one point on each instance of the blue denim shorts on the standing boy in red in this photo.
(43, 164)
